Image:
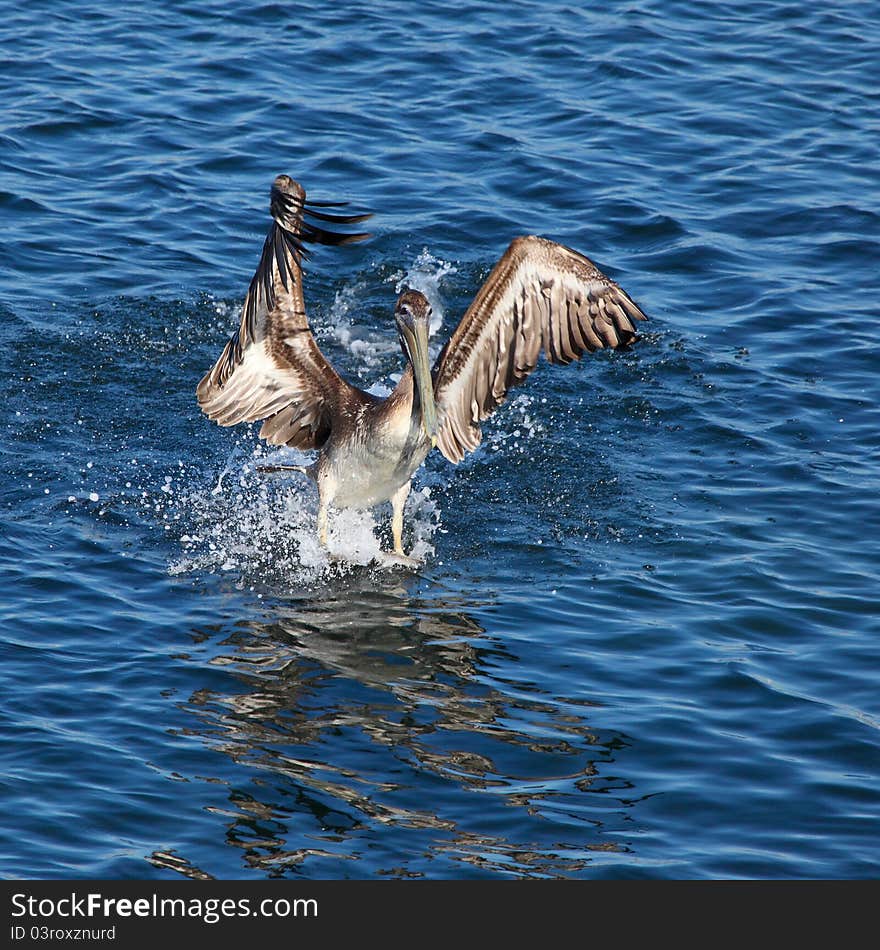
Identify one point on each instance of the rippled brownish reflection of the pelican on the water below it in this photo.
(371, 706)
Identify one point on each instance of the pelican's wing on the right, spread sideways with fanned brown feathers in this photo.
(539, 296)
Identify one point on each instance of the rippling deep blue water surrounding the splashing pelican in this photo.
(644, 641)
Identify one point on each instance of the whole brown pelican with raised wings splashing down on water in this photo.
(540, 296)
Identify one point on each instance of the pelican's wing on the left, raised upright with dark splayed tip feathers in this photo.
(272, 368)
